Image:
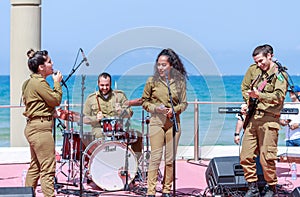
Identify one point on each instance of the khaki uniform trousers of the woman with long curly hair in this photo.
(158, 139)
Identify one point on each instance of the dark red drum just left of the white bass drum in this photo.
(68, 137)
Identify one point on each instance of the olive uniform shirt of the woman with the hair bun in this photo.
(39, 98)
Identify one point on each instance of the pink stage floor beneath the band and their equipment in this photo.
(190, 180)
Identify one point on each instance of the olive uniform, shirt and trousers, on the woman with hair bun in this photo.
(40, 102)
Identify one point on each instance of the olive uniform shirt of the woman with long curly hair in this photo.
(156, 93)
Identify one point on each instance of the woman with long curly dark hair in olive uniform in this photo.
(156, 100)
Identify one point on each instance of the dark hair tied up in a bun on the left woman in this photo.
(36, 58)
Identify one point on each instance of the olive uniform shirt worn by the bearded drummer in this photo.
(96, 102)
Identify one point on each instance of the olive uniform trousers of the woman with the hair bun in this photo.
(42, 165)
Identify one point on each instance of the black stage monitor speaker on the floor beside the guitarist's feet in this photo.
(227, 173)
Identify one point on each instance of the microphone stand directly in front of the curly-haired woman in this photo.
(175, 129)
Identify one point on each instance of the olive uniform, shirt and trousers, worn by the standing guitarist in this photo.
(261, 134)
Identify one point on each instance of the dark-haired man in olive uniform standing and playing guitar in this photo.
(263, 88)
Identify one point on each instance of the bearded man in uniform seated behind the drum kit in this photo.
(108, 103)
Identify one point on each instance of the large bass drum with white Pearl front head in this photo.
(106, 164)
